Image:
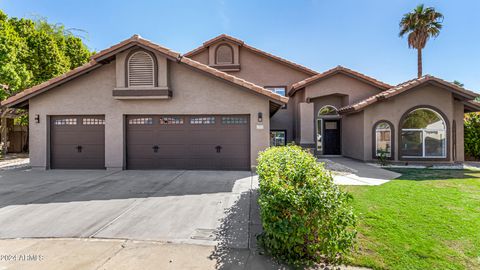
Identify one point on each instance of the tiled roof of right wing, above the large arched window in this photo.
(405, 86)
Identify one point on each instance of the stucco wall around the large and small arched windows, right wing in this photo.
(393, 109)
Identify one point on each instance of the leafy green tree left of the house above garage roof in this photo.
(34, 51)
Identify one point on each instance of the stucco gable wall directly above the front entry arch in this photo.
(341, 84)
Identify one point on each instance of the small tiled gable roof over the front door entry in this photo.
(339, 69)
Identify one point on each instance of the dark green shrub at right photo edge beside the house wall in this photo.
(472, 135)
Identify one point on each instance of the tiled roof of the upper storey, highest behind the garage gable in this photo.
(224, 37)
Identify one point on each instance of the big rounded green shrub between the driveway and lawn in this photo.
(306, 218)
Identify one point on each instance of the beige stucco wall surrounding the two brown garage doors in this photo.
(193, 93)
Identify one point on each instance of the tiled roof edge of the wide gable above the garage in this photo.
(103, 56)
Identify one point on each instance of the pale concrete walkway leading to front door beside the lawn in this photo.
(352, 172)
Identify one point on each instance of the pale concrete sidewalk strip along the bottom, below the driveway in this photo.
(95, 254)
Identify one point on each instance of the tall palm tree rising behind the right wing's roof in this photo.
(420, 24)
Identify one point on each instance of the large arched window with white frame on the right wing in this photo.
(423, 134)
